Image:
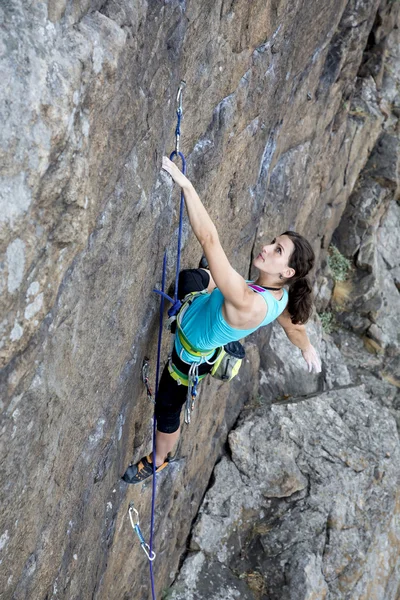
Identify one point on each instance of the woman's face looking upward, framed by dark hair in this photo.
(274, 257)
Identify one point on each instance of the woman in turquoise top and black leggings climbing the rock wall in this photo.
(229, 311)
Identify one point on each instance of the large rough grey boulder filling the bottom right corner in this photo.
(307, 507)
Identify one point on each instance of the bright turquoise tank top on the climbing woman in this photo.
(205, 327)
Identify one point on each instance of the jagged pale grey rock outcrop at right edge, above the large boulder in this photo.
(369, 234)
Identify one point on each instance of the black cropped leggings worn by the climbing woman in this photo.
(171, 396)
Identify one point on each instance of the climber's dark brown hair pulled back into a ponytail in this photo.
(300, 292)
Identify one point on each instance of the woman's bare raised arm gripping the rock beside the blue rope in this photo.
(232, 285)
